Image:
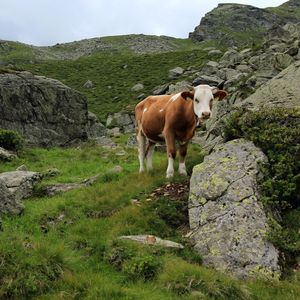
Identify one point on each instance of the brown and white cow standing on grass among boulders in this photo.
(172, 117)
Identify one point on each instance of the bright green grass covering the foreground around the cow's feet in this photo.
(66, 247)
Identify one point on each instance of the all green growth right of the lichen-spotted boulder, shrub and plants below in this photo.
(277, 132)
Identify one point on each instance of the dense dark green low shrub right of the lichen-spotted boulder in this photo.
(277, 132)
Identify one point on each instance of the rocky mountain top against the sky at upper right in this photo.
(243, 25)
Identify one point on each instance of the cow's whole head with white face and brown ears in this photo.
(203, 96)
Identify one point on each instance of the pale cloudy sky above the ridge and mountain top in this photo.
(47, 22)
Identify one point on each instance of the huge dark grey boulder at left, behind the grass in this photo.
(43, 110)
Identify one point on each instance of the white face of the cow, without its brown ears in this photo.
(203, 99)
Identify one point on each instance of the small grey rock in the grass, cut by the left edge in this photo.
(15, 186)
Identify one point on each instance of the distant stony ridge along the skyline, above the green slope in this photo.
(15, 52)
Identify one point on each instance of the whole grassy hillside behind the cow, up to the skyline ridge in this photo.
(112, 81)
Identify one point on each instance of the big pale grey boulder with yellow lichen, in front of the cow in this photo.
(228, 223)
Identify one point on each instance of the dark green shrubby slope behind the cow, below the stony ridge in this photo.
(114, 74)
